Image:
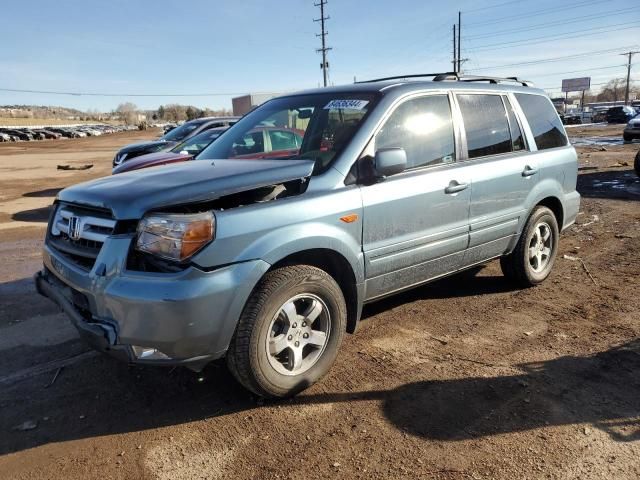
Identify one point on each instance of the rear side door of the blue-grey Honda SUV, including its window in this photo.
(502, 173)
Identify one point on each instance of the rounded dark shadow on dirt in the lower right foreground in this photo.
(602, 390)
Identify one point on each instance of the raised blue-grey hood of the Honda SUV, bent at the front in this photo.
(130, 195)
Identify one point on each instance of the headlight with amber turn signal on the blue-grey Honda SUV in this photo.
(175, 236)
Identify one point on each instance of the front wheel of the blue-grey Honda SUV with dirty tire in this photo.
(289, 333)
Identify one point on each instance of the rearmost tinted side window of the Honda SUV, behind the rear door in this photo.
(545, 124)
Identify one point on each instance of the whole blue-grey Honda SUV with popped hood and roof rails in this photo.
(269, 261)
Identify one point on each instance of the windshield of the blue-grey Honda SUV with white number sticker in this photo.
(315, 127)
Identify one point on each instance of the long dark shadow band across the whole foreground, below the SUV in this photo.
(98, 396)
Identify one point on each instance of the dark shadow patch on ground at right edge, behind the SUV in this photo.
(619, 184)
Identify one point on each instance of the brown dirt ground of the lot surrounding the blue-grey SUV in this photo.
(465, 378)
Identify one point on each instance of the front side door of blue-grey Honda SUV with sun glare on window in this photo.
(415, 224)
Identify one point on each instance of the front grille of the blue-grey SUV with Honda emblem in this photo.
(78, 233)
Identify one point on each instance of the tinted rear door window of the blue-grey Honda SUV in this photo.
(486, 125)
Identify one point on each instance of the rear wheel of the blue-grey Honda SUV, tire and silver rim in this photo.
(532, 259)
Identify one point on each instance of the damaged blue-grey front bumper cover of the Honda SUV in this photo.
(189, 317)
